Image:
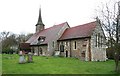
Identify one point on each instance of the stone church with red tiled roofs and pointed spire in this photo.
(85, 42)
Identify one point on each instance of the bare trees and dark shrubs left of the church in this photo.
(10, 41)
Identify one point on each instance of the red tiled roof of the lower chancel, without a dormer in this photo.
(79, 31)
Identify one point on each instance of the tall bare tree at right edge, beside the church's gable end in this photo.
(109, 16)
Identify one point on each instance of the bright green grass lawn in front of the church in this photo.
(55, 65)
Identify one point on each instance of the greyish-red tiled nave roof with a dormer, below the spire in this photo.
(48, 33)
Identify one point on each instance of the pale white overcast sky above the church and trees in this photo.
(21, 16)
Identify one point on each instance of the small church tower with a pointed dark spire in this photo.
(39, 26)
